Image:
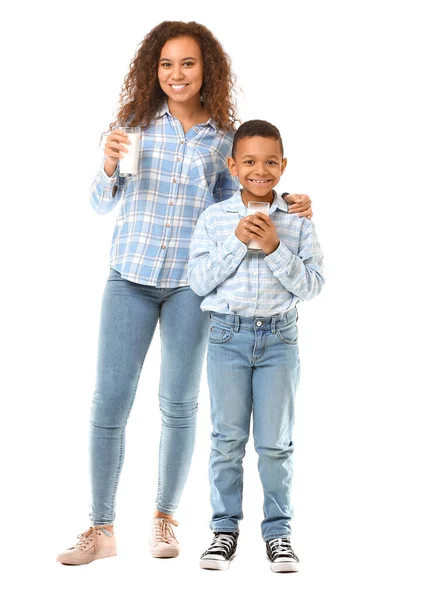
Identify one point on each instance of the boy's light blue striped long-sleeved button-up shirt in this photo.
(235, 280)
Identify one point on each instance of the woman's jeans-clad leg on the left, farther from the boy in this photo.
(128, 320)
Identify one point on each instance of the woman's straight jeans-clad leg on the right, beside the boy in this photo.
(184, 330)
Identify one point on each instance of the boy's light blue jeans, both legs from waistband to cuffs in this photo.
(253, 368)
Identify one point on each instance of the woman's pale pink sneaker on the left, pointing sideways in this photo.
(95, 543)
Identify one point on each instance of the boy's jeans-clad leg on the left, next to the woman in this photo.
(229, 378)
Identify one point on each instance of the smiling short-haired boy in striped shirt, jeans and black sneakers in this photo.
(253, 362)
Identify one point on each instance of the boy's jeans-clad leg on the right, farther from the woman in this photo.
(275, 381)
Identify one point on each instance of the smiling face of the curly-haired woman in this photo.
(180, 69)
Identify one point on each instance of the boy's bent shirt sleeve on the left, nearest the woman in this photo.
(211, 263)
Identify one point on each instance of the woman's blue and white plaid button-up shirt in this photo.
(179, 176)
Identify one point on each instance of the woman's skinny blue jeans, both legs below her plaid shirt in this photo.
(129, 316)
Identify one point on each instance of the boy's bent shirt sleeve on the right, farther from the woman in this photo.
(301, 275)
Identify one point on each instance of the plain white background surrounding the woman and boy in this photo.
(340, 80)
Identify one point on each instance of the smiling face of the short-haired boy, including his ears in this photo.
(258, 164)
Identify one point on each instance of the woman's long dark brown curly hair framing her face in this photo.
(141, 95)
